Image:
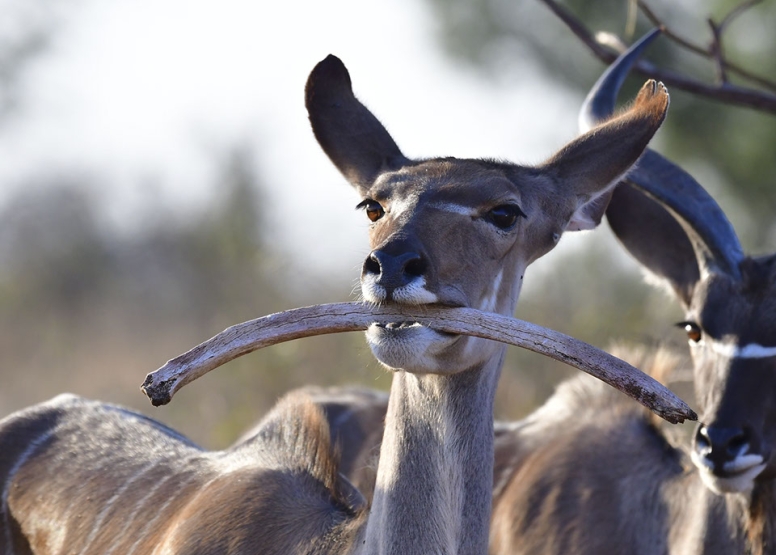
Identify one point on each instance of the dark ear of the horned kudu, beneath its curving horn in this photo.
(654, 238)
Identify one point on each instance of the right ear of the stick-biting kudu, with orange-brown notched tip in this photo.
(592, 164)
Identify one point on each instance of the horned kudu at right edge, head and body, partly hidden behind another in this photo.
(588, 473)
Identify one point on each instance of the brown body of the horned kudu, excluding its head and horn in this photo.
(592, 473)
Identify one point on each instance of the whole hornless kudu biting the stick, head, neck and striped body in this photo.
(85, 477)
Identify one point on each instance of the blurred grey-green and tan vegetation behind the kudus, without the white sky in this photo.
(89, 309)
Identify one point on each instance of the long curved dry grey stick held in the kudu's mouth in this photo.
(244, 338)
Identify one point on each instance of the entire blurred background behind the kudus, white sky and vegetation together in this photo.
(159, 182)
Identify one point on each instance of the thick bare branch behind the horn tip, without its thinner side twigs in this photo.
(732, 94)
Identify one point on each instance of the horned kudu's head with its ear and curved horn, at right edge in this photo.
(673, 227)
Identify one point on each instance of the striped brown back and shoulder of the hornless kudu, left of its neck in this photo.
(85, 477)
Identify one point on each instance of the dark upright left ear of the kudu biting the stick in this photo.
(354, 140)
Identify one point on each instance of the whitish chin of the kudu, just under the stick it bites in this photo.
(410, 347)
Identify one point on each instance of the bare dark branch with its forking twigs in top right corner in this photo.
(723, 91)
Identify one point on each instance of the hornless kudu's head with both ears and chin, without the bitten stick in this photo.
(456, 232)
